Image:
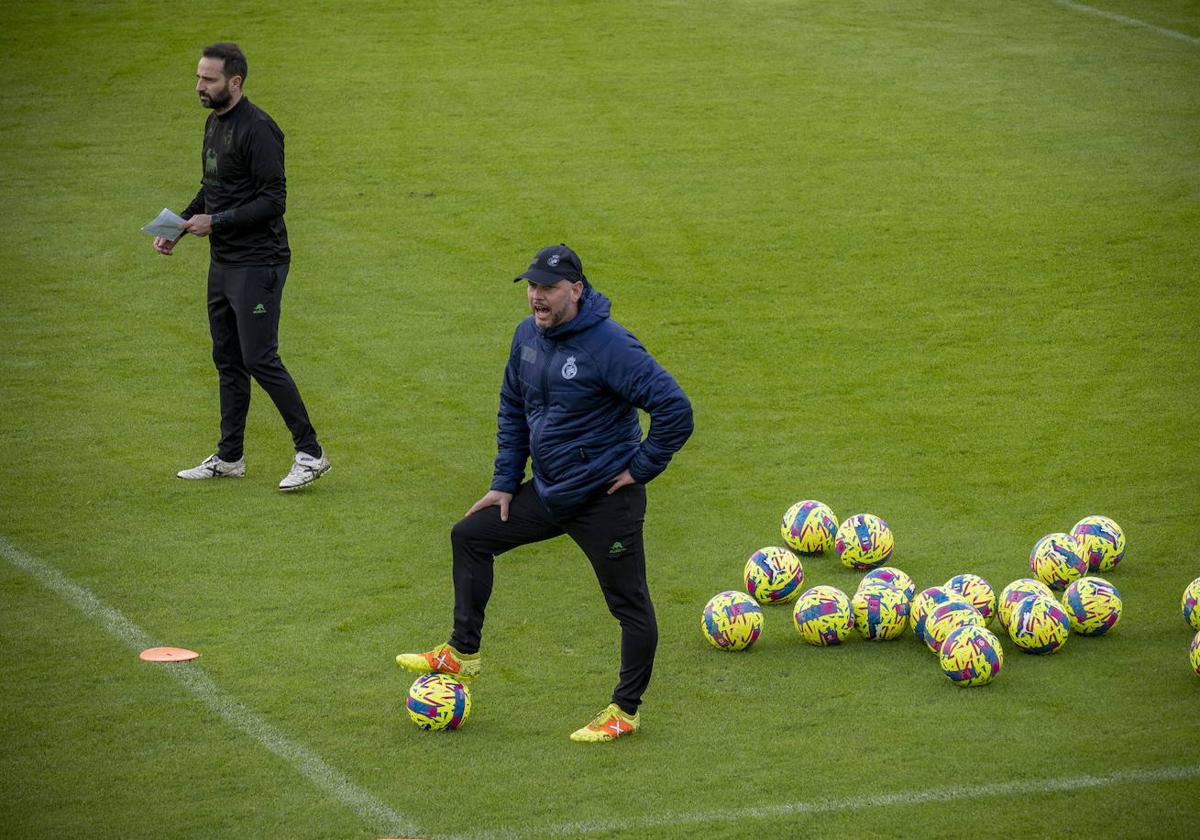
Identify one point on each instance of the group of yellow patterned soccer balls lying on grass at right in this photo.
(952, 620)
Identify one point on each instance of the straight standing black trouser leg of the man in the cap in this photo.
(610, 533)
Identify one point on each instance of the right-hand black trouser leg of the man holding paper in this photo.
(257, 295)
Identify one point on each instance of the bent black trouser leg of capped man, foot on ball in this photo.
(476, 541)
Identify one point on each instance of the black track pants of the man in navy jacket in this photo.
(609, 531)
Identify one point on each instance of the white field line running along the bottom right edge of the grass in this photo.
(901, 799)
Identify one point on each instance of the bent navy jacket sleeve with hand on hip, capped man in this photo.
(638, 377)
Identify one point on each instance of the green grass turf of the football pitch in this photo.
(934, 263)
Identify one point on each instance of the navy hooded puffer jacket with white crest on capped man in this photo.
(571, 399)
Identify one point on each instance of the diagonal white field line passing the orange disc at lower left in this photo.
(377, 815)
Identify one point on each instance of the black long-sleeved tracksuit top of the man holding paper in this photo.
(242, 165)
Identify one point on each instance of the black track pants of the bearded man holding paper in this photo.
(244, 319)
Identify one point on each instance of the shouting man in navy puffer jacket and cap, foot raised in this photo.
(573, 387)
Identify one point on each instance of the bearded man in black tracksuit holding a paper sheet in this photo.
(241, 209)
